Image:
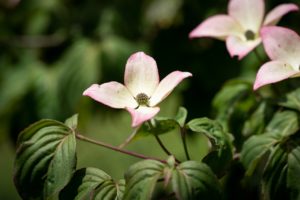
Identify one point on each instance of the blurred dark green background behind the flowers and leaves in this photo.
(52, 50)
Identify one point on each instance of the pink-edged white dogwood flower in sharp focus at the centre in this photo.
(142, 90)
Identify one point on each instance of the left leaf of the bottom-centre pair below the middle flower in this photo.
(141, 179)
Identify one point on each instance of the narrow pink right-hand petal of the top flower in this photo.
(276, 14)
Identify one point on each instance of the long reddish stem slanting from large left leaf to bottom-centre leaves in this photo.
(108, 146)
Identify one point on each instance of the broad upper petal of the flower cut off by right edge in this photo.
(282, 44)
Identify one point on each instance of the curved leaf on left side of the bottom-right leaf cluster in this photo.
(254, 149)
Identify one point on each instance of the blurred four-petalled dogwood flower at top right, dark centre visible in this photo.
(240, 28)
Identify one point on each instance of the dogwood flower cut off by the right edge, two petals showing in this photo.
(283, 48)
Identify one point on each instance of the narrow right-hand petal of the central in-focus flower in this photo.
(166, 86)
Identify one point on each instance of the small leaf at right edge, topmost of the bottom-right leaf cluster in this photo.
(283, 124)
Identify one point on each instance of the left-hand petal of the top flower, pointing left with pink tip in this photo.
(218, 26)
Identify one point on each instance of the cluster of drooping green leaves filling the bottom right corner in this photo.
(279, 144)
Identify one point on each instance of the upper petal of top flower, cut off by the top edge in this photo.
(249, 13)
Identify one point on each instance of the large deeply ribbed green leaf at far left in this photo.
(45, 160)
